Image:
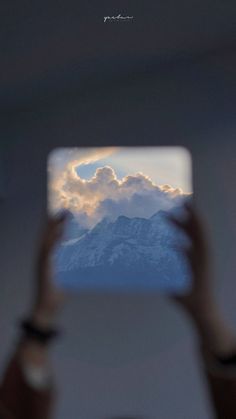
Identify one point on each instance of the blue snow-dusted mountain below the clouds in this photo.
(129, 253)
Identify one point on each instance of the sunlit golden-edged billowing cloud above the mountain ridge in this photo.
(104, 195)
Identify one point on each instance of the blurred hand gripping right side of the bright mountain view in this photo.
(200, 303)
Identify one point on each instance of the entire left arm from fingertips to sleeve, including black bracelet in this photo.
(27, 390)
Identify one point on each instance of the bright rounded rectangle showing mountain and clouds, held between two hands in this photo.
(117, 236)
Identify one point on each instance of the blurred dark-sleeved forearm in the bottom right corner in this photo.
(218, 349)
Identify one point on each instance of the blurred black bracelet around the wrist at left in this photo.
(36, 333)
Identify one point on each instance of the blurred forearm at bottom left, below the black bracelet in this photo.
(27, 389)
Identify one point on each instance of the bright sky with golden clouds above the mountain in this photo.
(94, 183)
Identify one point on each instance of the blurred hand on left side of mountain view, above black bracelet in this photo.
(48, 299)
